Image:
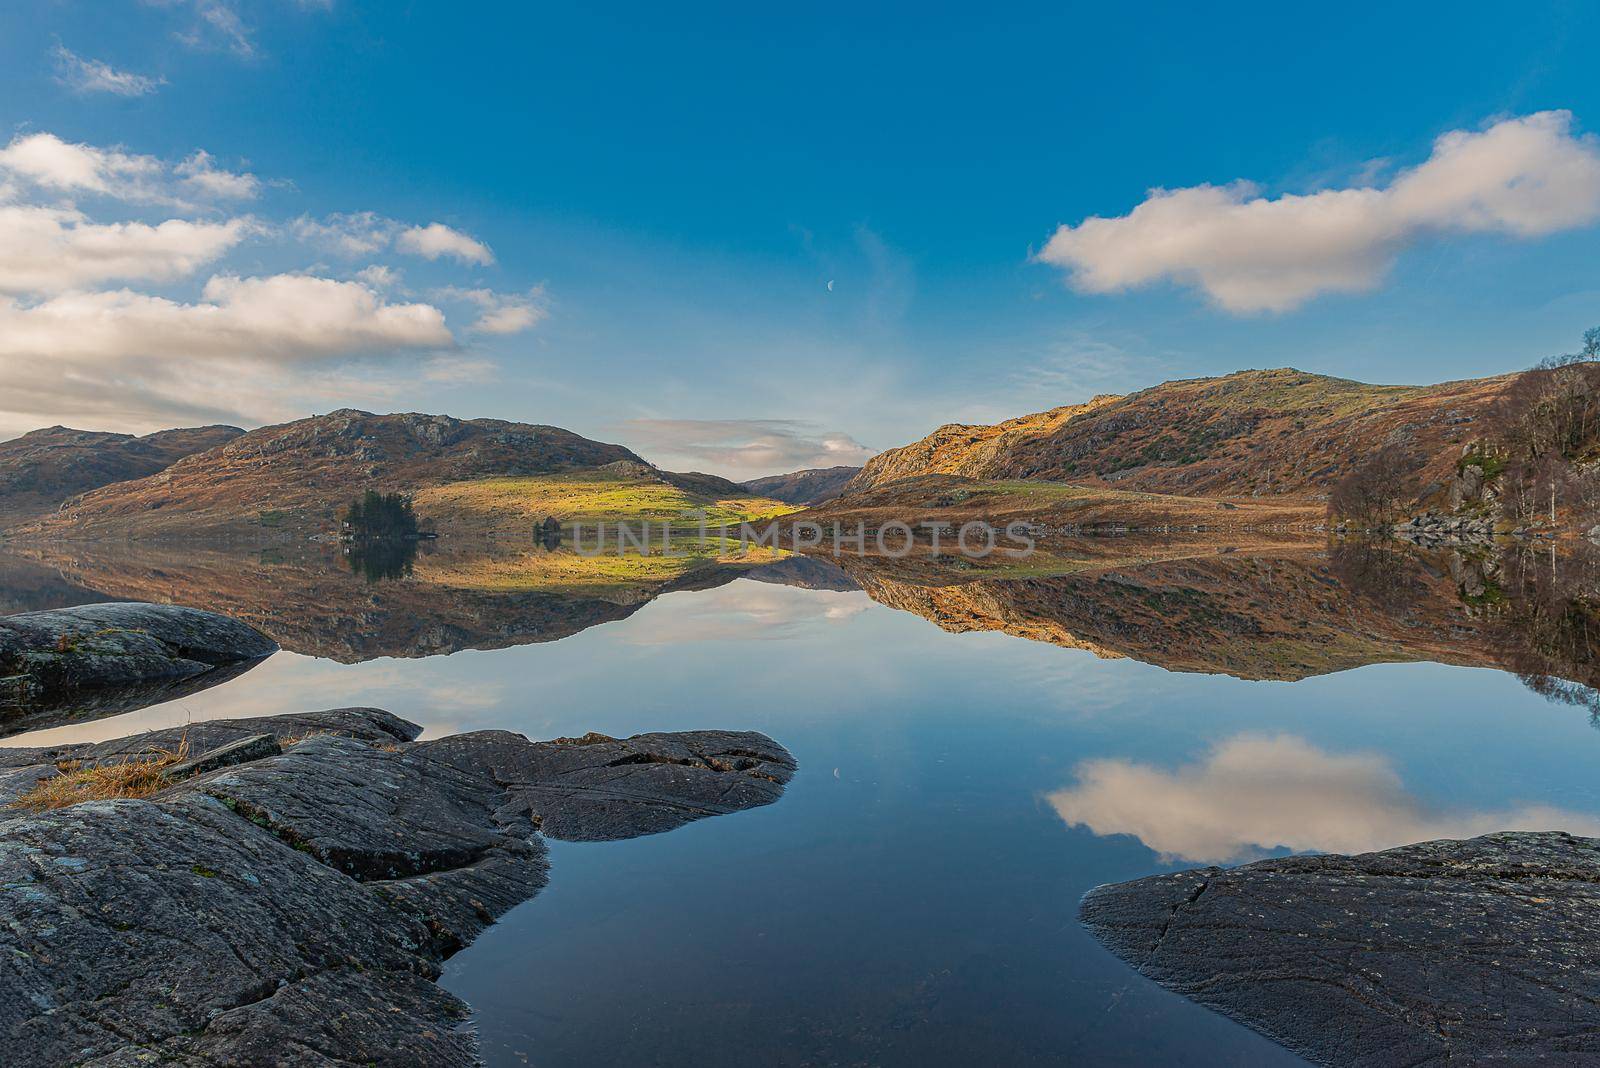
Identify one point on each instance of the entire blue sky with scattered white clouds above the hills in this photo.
(753, 239)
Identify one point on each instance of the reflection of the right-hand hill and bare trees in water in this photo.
(1290, 613)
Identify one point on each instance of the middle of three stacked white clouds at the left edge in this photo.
(49, 250)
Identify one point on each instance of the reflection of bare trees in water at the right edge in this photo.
(1548, 624)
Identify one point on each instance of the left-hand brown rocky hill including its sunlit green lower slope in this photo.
(292, 480)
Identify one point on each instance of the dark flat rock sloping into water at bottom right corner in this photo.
(1449, 952)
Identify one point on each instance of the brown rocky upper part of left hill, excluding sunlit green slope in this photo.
(295, 479)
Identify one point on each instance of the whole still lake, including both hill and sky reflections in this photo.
(975, 754)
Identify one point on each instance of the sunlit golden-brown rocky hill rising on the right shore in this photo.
(1282, 432)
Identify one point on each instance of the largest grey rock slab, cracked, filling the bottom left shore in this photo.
(295, 911)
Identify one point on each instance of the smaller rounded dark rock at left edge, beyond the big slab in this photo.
(103, 660)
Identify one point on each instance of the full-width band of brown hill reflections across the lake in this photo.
(1282, 613)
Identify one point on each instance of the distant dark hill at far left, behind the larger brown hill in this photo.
(46, 468)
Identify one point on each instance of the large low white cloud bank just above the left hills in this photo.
(250, 349)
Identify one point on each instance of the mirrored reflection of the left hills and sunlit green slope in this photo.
(380, 605)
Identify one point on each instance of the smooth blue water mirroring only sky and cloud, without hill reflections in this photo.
(911, 901)
